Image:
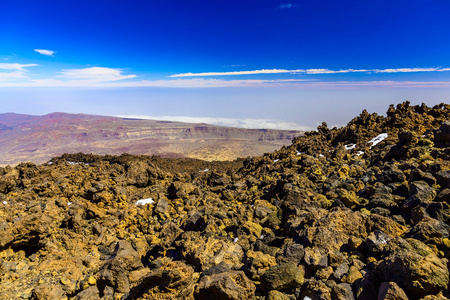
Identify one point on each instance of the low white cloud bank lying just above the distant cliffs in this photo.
(229, 122)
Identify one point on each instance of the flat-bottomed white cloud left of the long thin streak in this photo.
(95, 74)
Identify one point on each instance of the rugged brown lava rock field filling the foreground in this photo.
(359, 212)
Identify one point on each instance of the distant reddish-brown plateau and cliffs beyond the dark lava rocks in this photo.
(39, 138)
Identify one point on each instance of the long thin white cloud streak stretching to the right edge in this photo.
(311, 71)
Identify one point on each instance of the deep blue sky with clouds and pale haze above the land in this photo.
(264, 63)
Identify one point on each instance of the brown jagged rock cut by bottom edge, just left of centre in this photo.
(225, 286)
